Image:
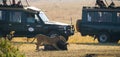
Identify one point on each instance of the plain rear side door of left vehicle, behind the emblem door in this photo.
(15, 23)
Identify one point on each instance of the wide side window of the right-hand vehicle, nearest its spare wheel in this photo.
(99, 17)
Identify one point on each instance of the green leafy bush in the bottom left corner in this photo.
(7, 50)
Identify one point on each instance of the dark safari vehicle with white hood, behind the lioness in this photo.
(29, 21)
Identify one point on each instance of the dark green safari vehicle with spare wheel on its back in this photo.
(101, 23)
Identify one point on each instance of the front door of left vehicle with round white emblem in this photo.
(33, 24)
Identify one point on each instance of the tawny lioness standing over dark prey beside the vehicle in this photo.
(45, 40)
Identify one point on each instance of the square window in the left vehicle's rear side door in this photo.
(15, 17)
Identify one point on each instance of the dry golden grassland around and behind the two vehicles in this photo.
(62, 11)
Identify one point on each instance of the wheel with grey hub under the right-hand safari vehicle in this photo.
(103, 37)
